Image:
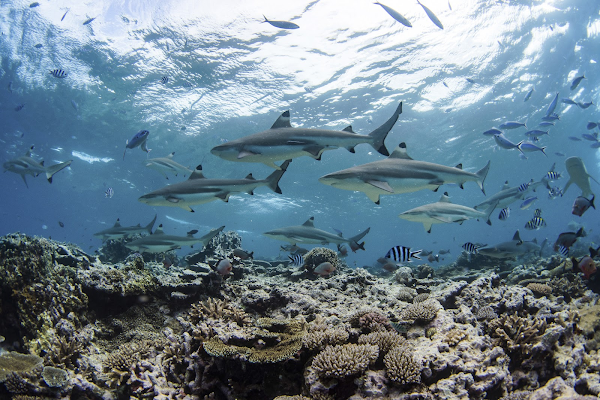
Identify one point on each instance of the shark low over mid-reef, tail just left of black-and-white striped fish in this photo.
(307, 233)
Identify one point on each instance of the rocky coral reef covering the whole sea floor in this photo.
(76, 327)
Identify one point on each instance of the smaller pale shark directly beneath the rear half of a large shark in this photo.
(444, 211)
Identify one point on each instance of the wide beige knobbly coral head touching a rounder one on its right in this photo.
(344, 360)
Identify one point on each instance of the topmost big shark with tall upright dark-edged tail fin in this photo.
(282, 142)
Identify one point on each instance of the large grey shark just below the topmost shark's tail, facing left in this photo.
(399, 173)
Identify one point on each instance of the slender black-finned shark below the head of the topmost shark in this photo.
(199, 190)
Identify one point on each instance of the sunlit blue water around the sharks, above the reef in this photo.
(231, 75)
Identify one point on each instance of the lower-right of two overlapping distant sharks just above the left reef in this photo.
(159, 242)
